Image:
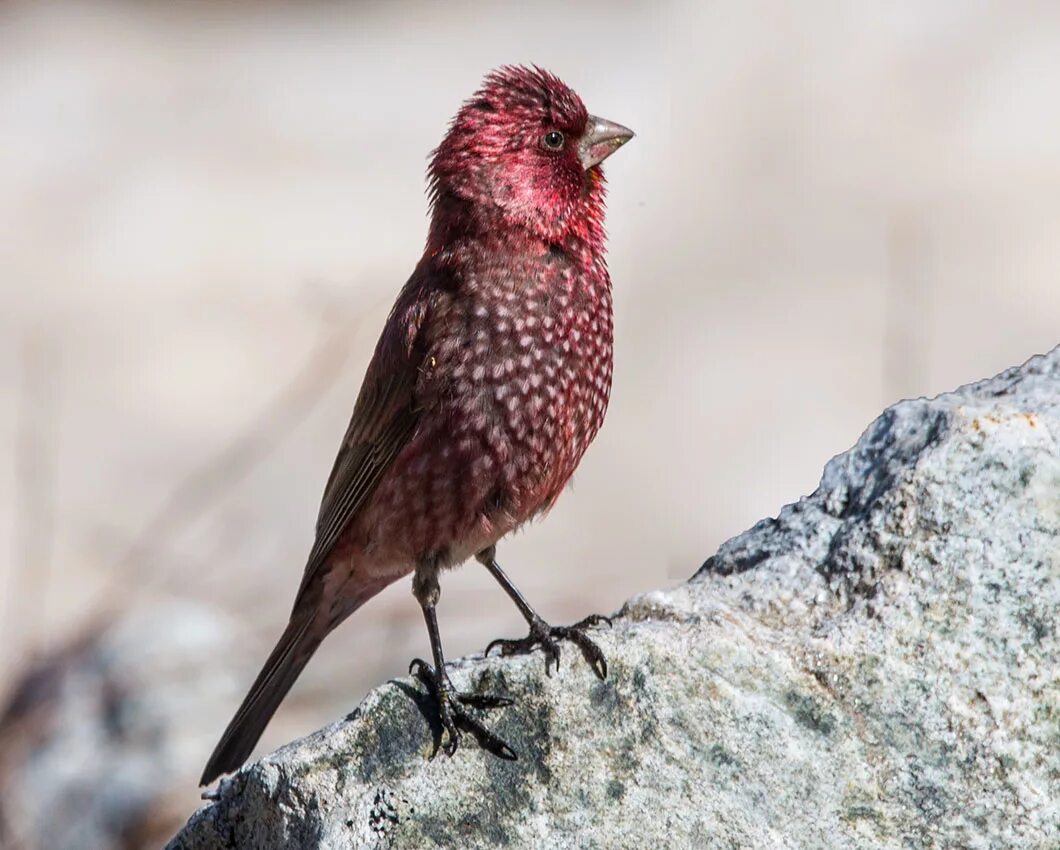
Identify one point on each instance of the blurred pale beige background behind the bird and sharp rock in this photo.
(206, 210)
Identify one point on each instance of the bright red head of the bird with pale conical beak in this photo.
(525, 147)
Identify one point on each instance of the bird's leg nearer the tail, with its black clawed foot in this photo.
(452, 705)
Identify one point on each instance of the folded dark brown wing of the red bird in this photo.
(384, 420)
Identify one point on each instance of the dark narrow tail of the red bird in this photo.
(293, 652)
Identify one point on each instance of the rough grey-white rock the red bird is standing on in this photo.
(876, 668)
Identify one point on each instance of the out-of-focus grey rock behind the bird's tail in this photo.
(101, 740)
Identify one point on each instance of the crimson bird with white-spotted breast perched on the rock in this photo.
(488, 384)
